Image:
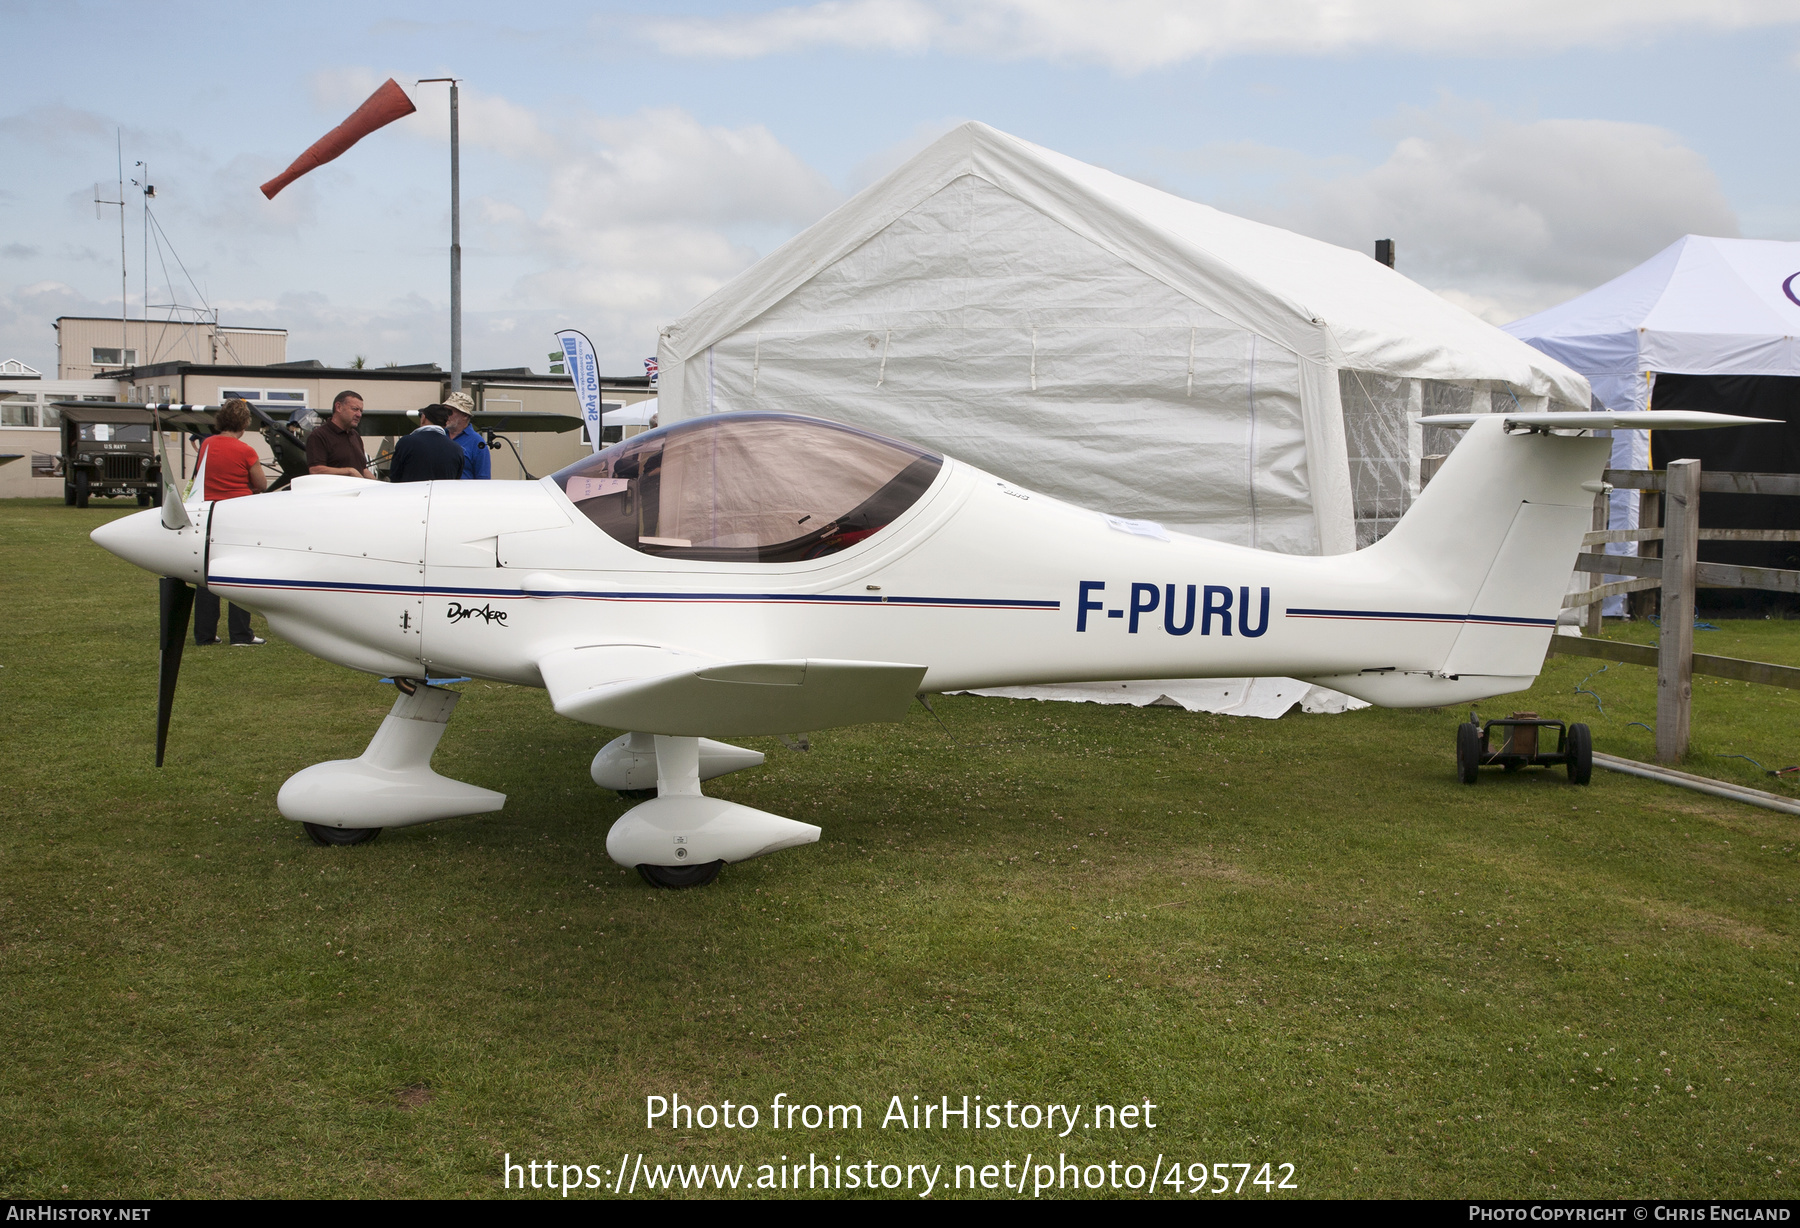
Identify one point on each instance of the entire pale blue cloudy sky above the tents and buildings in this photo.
(624, 161)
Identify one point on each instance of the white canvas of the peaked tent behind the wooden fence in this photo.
(1705, 323)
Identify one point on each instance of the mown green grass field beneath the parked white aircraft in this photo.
(1302, 941)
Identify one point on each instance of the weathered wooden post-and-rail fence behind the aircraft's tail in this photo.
(1669, 539)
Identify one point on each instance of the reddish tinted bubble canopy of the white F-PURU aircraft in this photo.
(768, 489)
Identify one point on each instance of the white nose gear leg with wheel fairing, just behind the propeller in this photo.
(391, 784)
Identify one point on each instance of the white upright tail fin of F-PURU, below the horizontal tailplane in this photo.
(1497, 532)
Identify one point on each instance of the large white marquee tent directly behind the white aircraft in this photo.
(1110, 345)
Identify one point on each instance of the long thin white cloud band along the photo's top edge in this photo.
(1135, 35)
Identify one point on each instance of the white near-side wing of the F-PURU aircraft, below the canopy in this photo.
(651, 689)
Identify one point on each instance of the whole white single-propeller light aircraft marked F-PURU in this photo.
(764, 573)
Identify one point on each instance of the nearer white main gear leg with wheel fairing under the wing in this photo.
(683, 838)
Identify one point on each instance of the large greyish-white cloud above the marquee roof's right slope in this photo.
(1511, 219)
